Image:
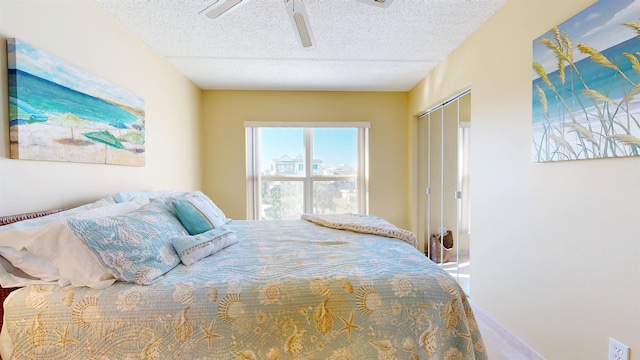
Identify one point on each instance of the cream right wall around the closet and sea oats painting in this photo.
(556, 246)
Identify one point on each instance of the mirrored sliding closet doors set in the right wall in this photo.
(443, 182)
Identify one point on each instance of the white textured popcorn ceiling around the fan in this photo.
(360, 47)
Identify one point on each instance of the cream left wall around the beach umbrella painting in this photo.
(82, 33)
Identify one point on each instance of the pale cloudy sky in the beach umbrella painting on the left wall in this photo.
(42, 64)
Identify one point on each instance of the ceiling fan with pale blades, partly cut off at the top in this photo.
(295, 9)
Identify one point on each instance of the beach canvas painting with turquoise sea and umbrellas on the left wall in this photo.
(60, 112)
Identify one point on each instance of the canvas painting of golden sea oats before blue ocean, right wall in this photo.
(586, 81)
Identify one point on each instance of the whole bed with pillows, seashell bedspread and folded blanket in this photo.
(315, 288)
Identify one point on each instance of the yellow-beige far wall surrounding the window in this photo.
(223, 137)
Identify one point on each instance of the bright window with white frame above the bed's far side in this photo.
(282, 185)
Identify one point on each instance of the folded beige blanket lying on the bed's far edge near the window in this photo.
(366, 224)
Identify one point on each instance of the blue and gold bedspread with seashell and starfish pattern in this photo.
(287, 290)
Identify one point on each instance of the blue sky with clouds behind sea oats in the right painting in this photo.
(599, 26)
